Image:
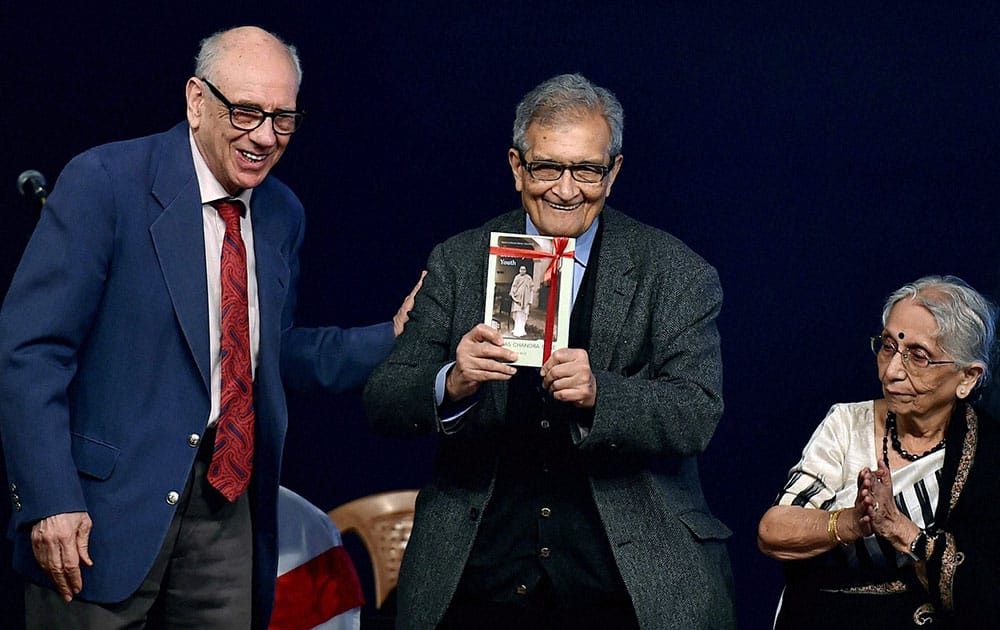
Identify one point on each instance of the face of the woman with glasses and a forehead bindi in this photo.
(930, 392)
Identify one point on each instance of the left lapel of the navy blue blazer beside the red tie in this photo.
(179, 241)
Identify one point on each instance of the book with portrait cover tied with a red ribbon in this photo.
(529, 293)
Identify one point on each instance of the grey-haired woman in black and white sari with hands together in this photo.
(891, 518)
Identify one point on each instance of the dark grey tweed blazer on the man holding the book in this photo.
(656, 358)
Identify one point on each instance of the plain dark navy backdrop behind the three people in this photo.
(819, 157)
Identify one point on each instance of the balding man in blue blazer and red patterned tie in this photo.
(112, 360)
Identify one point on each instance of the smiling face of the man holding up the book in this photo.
(565, 207)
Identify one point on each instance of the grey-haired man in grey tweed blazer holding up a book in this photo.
(565, 497)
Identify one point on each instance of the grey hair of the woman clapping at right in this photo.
(966, 320)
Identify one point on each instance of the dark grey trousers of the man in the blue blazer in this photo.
(202, 577)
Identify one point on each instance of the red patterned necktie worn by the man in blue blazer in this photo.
(232, 459)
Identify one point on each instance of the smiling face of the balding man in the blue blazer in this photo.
(252, 69)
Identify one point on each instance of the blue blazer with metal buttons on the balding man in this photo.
(105, 361)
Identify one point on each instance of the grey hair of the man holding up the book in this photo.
(565, 98)
